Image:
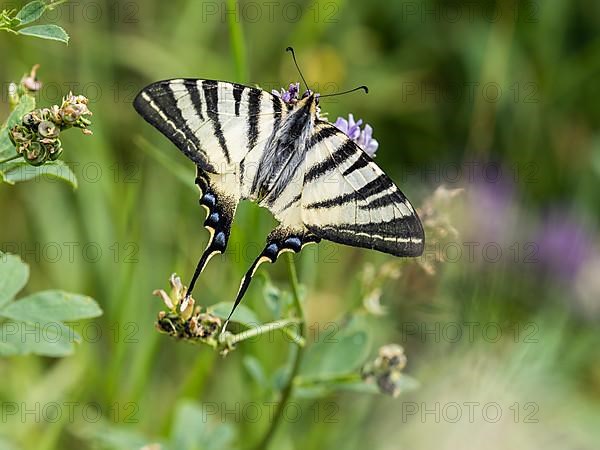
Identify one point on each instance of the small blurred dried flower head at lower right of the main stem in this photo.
(386, 370)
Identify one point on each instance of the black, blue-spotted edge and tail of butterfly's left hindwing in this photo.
(220, 208)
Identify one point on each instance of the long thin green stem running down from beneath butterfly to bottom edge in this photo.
(287, 390)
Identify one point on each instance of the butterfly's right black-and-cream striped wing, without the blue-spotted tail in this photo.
(348, 199)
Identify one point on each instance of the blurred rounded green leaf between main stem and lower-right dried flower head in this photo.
(343, 353)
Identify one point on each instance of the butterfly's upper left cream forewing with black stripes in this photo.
(215, 123)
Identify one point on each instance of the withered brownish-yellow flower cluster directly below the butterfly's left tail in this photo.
(184, 320)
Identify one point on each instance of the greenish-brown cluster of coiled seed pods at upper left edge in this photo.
(36, 138)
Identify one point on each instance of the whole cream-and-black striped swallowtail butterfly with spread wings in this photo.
(248, 144)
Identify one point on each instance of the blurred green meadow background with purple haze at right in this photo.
(501, 99)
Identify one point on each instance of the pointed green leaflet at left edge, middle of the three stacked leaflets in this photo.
(52, 306)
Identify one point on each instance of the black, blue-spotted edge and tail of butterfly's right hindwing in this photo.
(279, 241)
